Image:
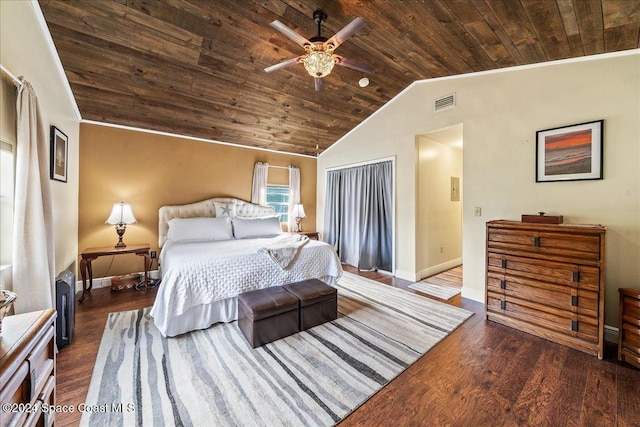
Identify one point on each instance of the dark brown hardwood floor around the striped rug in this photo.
(483, 374)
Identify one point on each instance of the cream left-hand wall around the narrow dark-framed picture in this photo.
(25, 51)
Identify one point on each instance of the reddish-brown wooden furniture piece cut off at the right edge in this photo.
(629, 332)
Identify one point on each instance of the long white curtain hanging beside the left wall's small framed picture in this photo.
(33, 245)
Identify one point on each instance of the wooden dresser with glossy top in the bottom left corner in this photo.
(27, 369)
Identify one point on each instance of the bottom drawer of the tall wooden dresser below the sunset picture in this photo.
(549, 318)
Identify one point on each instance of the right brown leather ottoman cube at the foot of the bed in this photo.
(318, 302)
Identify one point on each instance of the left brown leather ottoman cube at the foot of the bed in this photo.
(267, 315)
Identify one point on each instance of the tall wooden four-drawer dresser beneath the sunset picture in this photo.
(548, 280)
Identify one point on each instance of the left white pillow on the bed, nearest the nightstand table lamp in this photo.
(199, 229)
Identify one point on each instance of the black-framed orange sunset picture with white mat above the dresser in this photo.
(570, 153)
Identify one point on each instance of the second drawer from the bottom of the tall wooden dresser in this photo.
(562, 297)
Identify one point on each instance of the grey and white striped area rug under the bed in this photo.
(213, 377)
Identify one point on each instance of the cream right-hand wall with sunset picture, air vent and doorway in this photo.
(501, 113)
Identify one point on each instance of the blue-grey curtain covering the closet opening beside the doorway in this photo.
(358, 215)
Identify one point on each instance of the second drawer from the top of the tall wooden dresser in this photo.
(559, 273)
